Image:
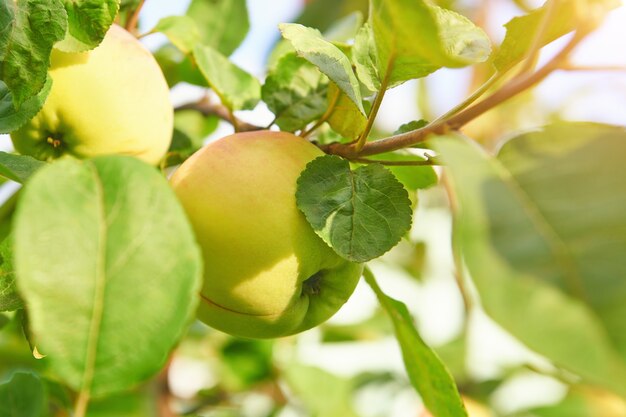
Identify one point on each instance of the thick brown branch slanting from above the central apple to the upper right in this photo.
(509, 90)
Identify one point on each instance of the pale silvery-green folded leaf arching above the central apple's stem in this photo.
(311, 46)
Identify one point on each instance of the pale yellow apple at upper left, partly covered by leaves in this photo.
(111, 100)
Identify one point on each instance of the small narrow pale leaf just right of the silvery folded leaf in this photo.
(365, 59)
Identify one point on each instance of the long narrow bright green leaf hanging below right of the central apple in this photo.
(427, 373)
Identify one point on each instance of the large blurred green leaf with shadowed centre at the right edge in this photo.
(543, 233)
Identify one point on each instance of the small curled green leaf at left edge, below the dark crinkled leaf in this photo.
(12, 119)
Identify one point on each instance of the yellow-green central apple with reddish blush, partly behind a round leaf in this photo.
(259, 250)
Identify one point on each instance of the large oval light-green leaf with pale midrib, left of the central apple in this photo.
(118, 257)
